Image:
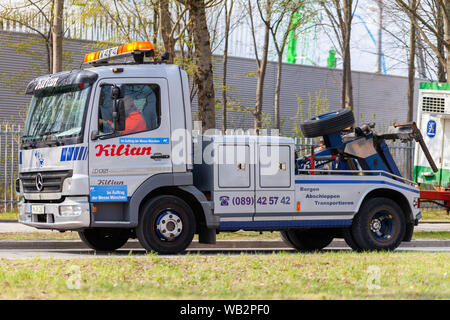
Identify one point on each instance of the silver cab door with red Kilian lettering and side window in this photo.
(120, 161)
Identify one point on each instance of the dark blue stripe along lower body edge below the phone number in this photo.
(285, 224)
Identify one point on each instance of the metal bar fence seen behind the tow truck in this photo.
(9, 154)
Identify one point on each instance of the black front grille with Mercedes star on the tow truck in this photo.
(52, 180)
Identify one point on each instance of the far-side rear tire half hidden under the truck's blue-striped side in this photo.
(309, 240)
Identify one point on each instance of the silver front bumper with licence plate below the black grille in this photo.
(51, 217)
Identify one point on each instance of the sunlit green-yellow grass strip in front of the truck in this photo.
(330, 275)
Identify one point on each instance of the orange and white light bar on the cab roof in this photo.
(118, 52)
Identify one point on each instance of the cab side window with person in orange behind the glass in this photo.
(142, 109)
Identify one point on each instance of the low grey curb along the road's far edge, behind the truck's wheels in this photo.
(221, 244)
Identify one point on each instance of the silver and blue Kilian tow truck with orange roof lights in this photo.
(89, 164)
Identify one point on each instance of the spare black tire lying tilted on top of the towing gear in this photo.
(328, 123)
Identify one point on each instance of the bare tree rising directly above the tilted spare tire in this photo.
(340, 14)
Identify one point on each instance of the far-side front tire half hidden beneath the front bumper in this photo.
(102, 239)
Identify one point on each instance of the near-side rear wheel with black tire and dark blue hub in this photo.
(379, 225)
